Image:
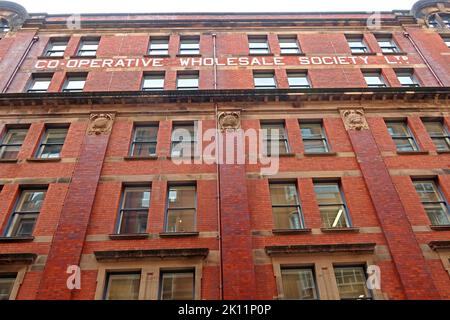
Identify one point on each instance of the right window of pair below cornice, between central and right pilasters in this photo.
(314, 137)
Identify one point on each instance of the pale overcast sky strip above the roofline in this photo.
(149, 6)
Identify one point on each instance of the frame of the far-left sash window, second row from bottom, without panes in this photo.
(12, 221)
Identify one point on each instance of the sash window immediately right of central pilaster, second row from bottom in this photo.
(286, 209)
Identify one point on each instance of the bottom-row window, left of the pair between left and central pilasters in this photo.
(122, 286)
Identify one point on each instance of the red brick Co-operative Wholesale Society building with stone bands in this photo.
(91, 189)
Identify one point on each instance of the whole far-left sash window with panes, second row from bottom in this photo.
(25, 214)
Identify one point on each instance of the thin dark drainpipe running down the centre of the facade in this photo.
(218, 157)
